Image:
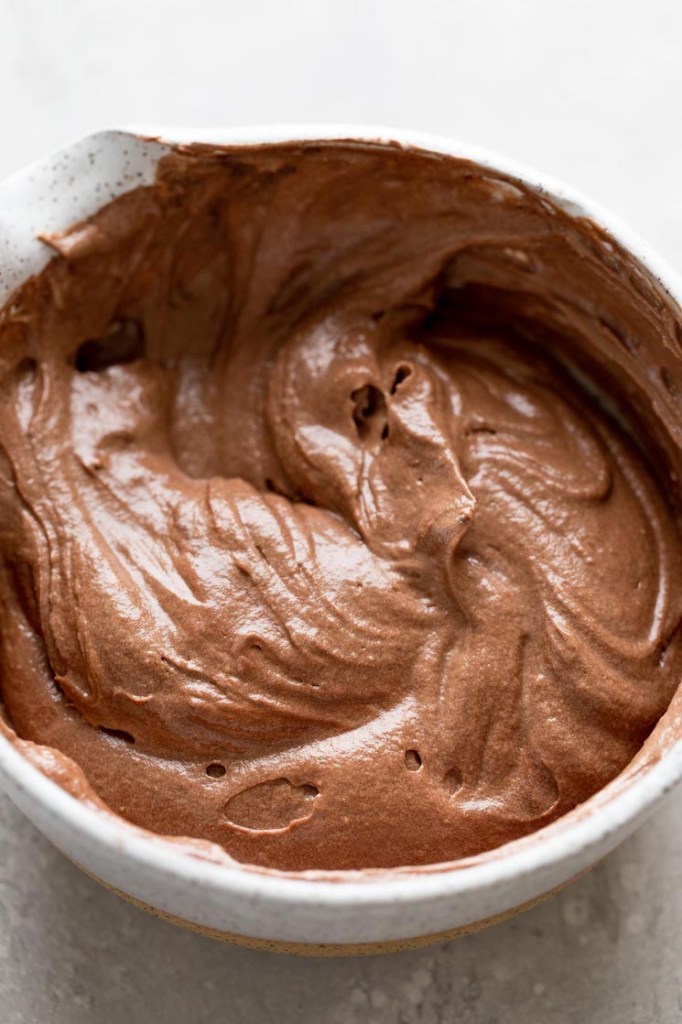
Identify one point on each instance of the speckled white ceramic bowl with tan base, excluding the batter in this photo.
(352, 913)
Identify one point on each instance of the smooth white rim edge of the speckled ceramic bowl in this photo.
(543, 850)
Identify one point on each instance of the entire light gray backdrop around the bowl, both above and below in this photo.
(589, 92)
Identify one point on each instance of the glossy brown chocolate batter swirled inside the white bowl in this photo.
(338, 506)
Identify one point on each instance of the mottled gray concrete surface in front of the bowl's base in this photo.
(608, 951)
